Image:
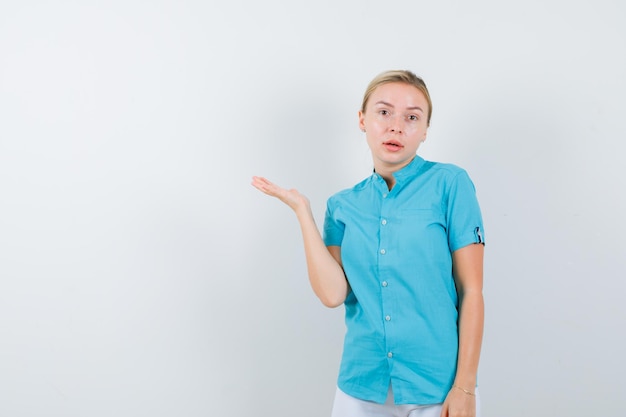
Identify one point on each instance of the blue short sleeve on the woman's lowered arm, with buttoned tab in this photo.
(464, 218)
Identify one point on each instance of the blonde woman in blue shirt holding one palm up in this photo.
(403, 251)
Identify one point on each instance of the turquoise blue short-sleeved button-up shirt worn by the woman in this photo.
(396, 249)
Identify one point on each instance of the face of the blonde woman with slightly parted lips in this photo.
(395, 124)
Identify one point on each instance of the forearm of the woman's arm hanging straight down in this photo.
(471, 323)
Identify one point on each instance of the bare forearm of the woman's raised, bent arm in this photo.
(325, 272)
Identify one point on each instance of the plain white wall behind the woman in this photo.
(141, 274)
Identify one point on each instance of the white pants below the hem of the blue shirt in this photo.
(347, 406)
